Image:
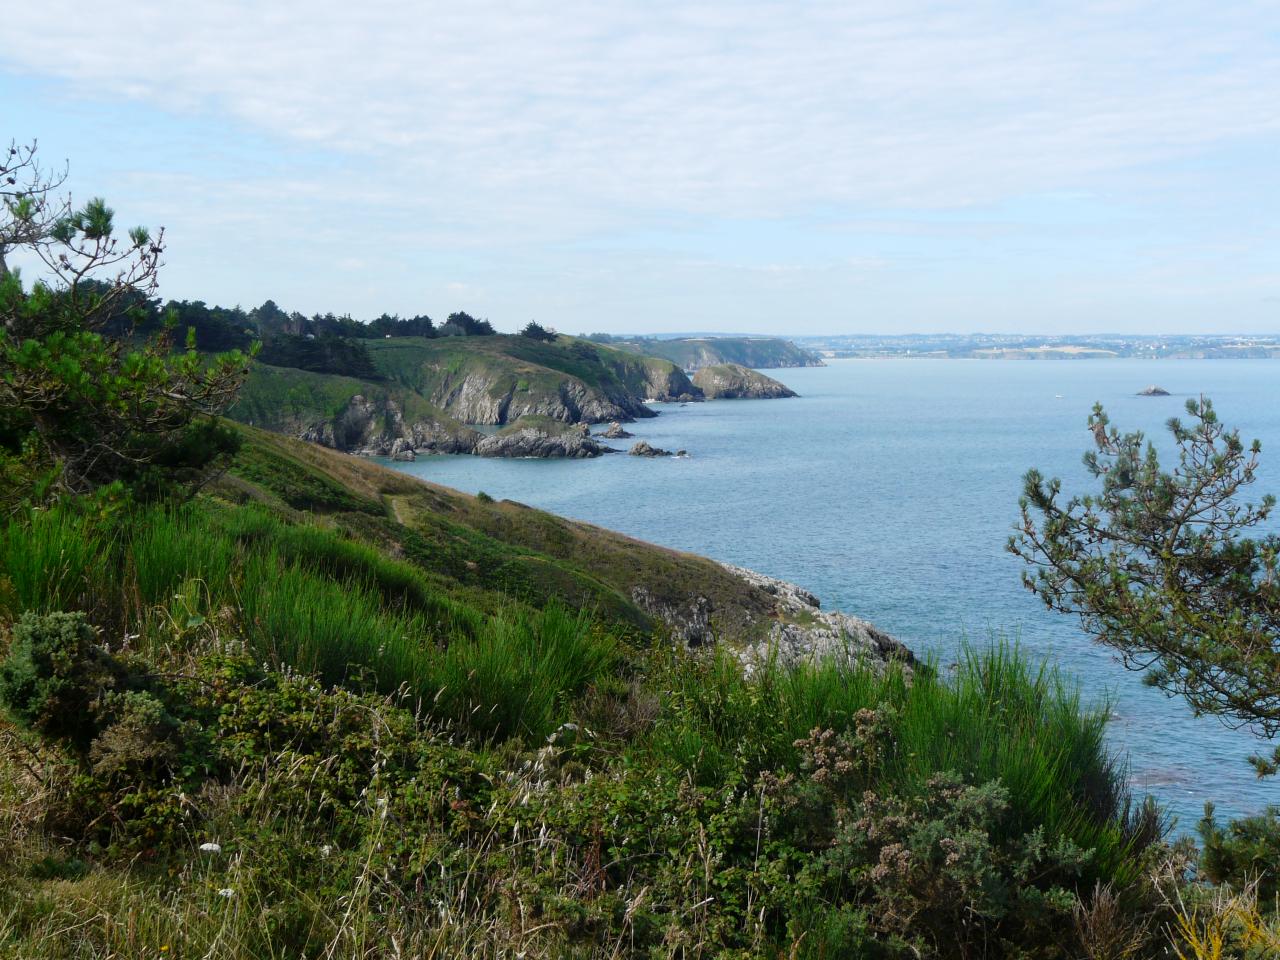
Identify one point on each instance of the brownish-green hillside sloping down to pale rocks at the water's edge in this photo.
(490, 551)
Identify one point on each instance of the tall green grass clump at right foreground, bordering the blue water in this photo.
(996, 717)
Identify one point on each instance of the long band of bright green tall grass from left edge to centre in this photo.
(310, 600)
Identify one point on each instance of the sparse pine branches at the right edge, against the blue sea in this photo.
(1159, 566)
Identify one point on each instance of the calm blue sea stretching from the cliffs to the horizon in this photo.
(890, 488)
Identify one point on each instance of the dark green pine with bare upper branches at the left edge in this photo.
(81, 410)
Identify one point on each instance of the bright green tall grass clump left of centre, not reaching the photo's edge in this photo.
(509, 676)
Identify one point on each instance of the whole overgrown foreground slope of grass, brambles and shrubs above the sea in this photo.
(458, 821)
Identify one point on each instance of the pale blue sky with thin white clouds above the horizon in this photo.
(789, 168)
